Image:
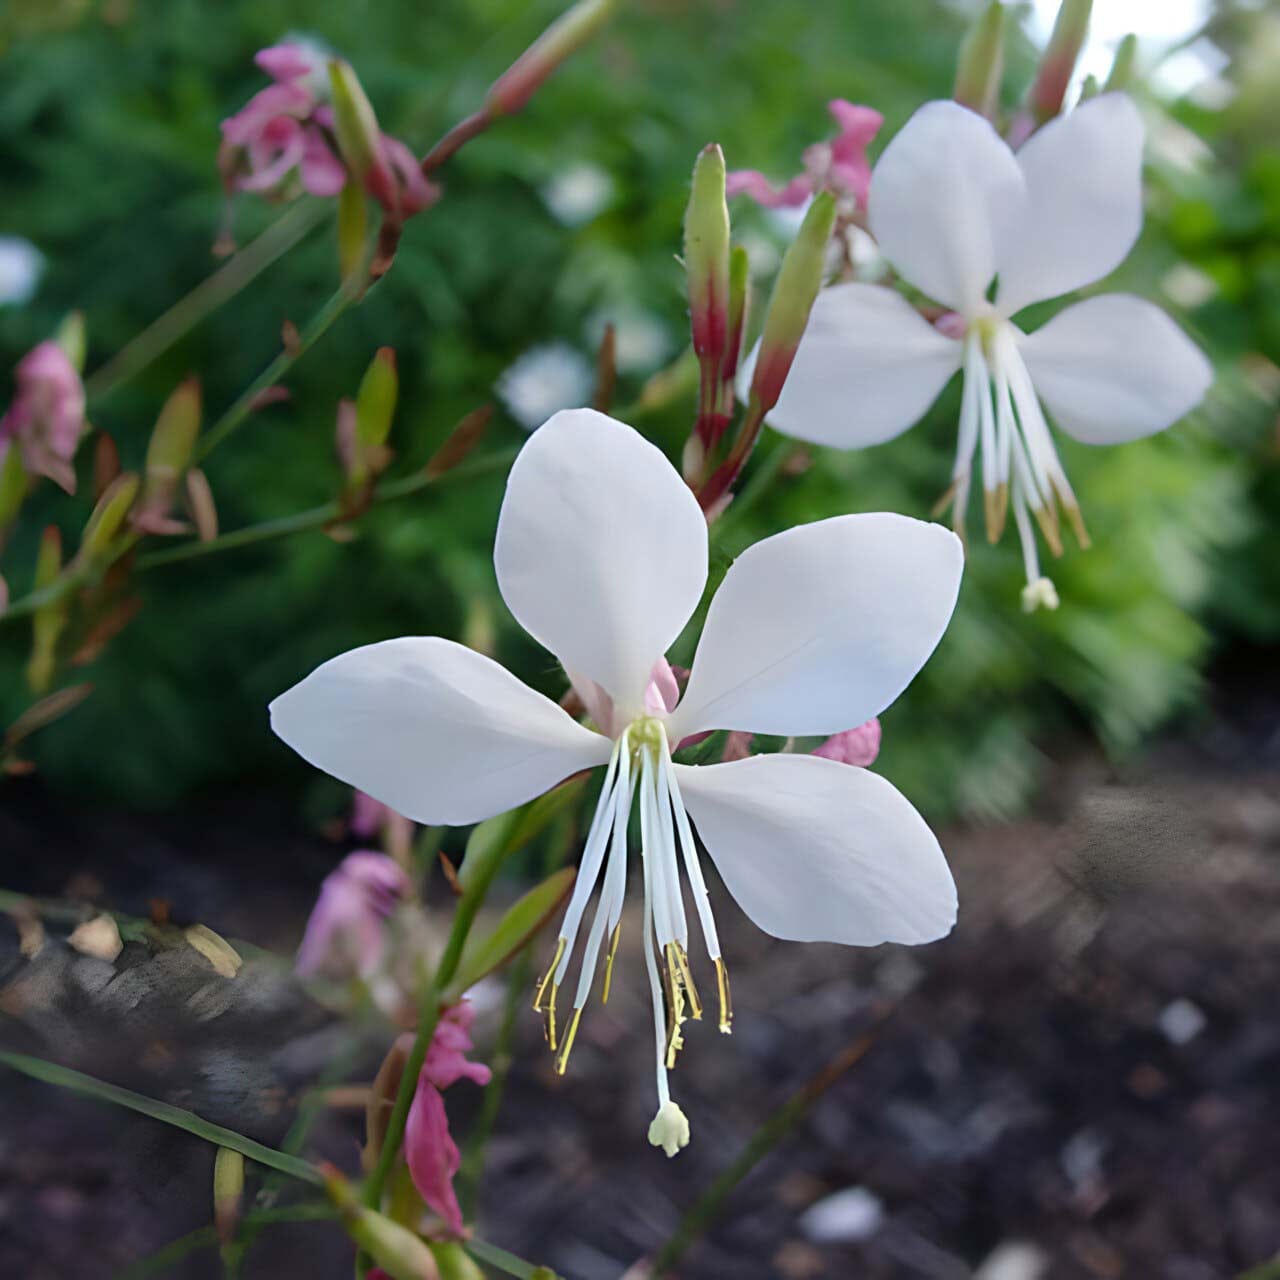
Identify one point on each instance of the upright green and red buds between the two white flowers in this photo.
(717, 277)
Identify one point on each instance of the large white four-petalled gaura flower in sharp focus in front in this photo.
(602, 557)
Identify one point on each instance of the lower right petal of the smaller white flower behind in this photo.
(1116, 368)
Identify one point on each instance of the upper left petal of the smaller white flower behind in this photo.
(943, 196)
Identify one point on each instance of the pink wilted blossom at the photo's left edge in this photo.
(47, 417)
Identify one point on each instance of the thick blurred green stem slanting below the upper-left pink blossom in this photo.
(205, 299)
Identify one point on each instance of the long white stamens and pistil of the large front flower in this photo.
(639, 770)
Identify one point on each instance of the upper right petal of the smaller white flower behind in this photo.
(1084, 203)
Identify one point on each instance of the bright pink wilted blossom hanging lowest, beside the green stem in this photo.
(429, 1150)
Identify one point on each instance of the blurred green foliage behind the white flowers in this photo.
(108, 136)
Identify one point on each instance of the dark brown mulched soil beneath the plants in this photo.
(1082, 1082)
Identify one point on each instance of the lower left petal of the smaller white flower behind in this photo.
(868, 367)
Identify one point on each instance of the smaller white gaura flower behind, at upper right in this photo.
(956, 211)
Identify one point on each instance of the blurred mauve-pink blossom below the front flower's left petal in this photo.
(345, 936)
